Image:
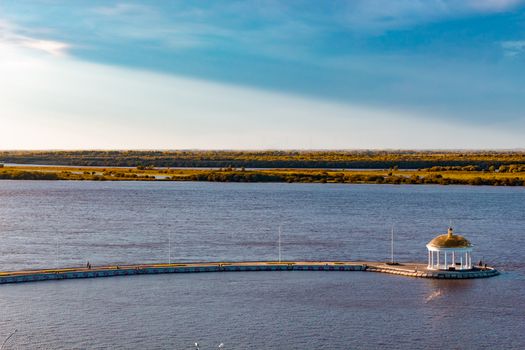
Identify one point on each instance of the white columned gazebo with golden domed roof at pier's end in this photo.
(449, 252)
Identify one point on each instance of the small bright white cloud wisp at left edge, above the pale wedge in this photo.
(9, 37)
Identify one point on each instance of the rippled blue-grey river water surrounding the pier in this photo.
(121, 222)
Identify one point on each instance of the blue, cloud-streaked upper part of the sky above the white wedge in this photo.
(347, 51)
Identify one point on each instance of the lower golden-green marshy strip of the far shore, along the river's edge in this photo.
(388, 176)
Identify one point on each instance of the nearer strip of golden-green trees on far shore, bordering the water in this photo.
(289, 176)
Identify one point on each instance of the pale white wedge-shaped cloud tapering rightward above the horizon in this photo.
(67, 104)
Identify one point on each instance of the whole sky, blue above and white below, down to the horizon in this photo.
(361, 74)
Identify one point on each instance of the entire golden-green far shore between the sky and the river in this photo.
(494, 168)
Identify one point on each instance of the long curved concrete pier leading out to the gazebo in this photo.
(410, 270)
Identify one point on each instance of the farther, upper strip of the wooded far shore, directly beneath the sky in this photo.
(269, 159)
